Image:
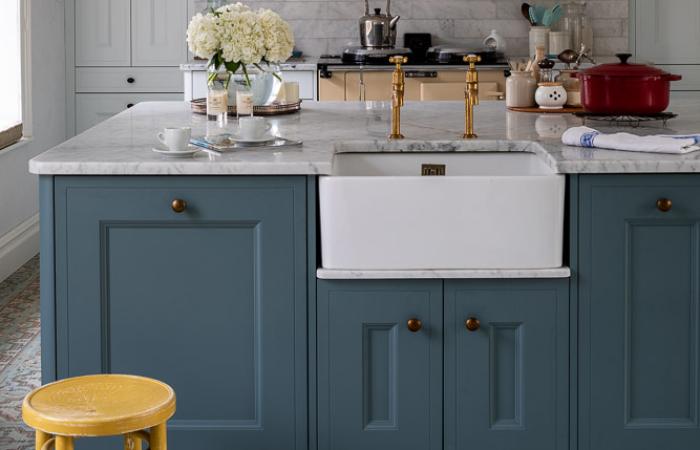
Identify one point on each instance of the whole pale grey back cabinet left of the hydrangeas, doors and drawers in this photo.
(126, 52)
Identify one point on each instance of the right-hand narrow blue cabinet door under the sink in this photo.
(506, 370)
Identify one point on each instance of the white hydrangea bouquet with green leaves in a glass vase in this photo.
(235, 36)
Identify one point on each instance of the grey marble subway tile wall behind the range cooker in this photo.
(327, 26)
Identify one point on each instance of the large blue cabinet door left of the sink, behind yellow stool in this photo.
(211, 300)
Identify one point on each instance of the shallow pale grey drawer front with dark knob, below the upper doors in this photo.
(128, 79)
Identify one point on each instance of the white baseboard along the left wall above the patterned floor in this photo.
(19, 246)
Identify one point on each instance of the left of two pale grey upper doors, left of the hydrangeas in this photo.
(102, 36)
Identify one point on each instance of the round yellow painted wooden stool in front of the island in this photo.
(100, 405)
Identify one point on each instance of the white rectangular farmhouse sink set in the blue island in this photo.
(501, 210)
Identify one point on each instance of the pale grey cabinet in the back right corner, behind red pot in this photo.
(666, 33)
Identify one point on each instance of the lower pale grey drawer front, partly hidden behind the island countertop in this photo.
(91, 109)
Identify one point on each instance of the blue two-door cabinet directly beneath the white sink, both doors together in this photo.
(504, 384)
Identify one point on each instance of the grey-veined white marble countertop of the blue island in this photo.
(122, 145)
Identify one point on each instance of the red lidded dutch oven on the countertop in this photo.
(625, 88)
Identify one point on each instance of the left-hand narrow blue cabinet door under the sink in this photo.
(379, 383)
